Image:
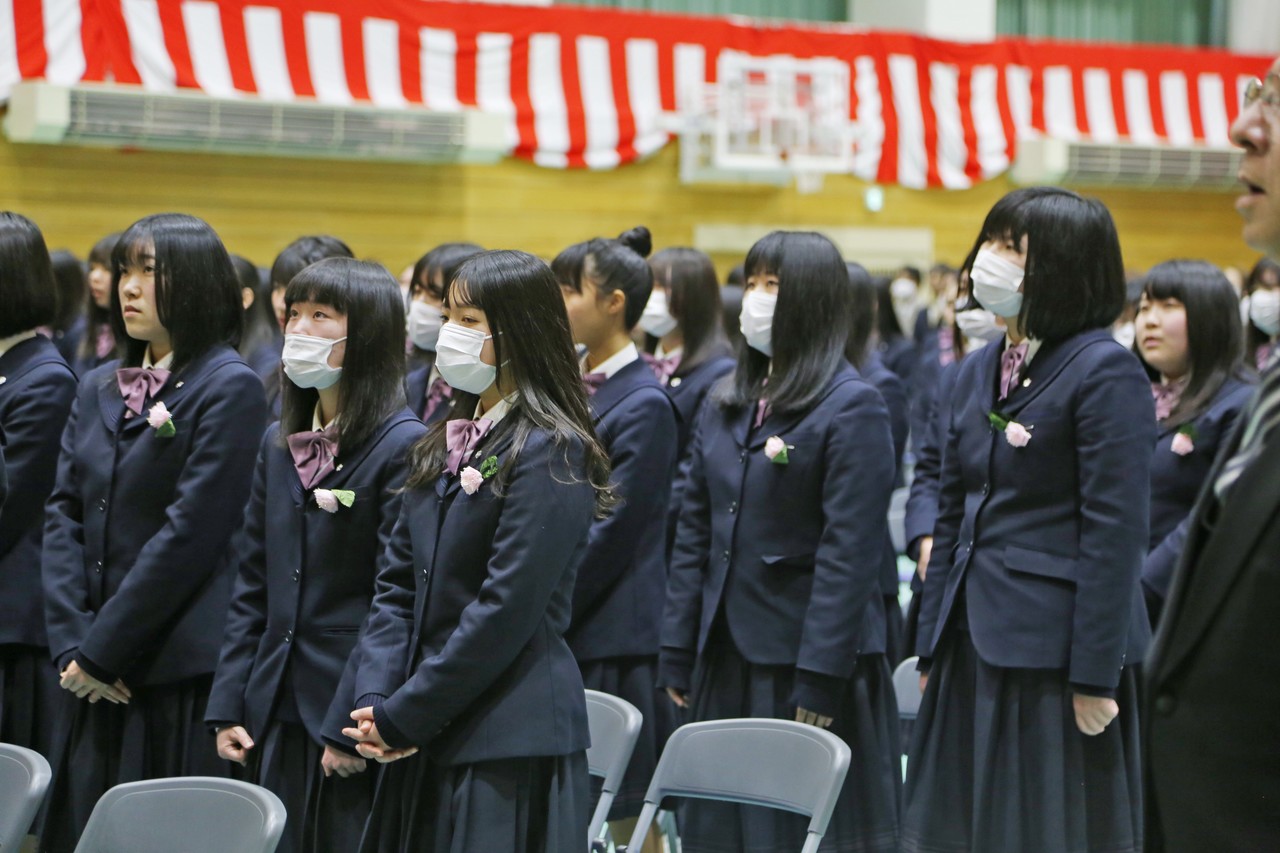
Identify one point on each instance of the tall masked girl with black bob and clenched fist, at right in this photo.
(1032, 613)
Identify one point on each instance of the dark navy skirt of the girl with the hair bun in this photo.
(634, 679)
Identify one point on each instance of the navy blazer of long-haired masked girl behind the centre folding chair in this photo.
(790, 554)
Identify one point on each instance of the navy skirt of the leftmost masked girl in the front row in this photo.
(324, 815)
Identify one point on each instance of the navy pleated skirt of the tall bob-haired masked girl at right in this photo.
(999, 764)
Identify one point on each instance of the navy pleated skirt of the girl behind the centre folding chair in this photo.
(866, 820)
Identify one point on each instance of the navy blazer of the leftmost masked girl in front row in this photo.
(307, 580)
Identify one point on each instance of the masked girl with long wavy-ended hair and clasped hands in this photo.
(464, 654)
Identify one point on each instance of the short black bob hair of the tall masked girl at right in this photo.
(1075, 279)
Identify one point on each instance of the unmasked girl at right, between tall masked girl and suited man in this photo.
(1191, 341)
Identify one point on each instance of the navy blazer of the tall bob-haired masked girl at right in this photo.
(1048, 541)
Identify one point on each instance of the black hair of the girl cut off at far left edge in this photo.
(26, 277)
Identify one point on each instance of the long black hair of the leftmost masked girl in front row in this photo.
(373, 368)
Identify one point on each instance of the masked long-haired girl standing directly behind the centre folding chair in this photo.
(774, 596)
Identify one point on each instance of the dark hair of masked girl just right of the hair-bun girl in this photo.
(694, 300)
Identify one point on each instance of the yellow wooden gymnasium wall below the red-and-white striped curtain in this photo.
(392, 213)
